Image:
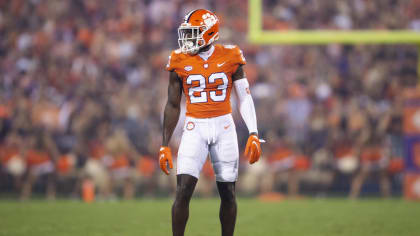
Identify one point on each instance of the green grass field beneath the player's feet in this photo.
(152, 217)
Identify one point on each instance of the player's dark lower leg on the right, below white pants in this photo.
(228, 207)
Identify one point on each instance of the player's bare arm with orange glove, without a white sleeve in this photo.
(170, 119)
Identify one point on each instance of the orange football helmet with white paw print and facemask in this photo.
(199, 29)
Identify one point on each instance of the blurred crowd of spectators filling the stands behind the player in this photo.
(83, 88)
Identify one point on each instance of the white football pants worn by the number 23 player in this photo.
(216, 136)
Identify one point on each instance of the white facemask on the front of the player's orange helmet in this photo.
(190, 38)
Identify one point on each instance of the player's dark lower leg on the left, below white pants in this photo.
(180, 208)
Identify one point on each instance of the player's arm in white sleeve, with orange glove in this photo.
(247, 110)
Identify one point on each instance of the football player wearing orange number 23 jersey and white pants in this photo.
(206, 73)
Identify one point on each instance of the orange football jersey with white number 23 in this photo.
(207, 85)
